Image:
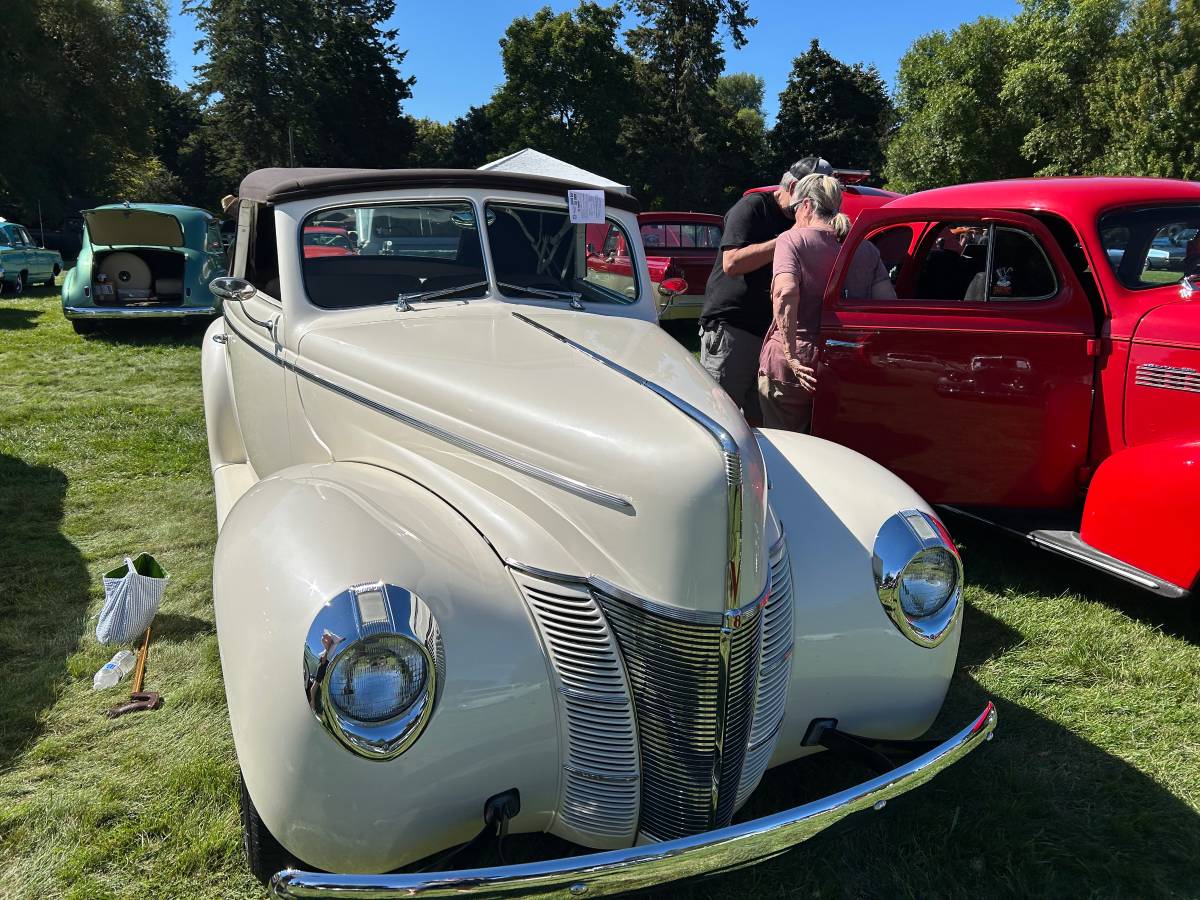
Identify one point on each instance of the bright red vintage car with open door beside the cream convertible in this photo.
(1035, 371)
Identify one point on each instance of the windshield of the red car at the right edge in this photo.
(1150, 248)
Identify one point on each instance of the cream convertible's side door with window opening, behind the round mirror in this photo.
(254, 329)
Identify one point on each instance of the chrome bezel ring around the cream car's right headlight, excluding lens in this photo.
(902, 539)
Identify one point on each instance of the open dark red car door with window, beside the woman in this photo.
(975, 386)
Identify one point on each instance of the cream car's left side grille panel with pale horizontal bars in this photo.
(601, 778)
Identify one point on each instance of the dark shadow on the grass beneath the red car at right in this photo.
(1004, 563)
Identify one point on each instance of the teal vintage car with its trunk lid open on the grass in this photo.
(145, 261)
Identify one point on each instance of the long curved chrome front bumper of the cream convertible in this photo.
(653, 865)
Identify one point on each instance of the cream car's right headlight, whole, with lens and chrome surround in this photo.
(919, 575)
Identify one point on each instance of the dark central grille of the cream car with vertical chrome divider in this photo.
(689, 784)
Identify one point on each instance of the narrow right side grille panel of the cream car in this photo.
(775, 673)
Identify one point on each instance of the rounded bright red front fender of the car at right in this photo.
(1143, 507)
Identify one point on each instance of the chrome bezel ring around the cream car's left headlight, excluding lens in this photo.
(364, 613)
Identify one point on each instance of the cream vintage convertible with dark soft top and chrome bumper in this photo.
(497, 556)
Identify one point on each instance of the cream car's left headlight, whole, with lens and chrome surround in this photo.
(373, 668)
